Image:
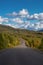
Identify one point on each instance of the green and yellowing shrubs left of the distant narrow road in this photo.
(7, 40)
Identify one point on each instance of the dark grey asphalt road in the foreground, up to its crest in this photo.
(20, 56)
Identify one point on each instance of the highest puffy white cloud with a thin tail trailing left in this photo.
(21, 13)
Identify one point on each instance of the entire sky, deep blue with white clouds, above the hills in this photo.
(32, 13)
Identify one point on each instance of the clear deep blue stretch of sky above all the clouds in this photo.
(33, 6)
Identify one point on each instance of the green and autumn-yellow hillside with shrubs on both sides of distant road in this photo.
(11, 37)
